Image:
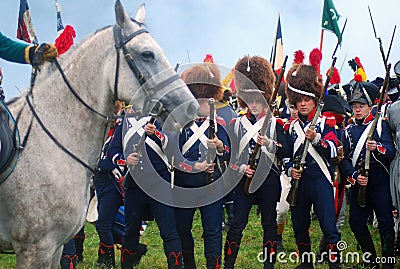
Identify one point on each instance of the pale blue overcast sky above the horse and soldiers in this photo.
(226, 29)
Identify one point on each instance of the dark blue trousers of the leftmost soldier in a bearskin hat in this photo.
(211, 217)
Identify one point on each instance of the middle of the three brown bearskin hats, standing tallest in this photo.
(253, 74)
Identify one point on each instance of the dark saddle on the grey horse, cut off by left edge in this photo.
(8, 143)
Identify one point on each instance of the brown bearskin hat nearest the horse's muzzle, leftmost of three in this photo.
(204, 81)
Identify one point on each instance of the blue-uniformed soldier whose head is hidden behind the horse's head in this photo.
(137, 201)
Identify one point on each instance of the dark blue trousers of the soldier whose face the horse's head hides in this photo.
(136, 204)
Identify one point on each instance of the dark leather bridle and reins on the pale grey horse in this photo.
(120, 42)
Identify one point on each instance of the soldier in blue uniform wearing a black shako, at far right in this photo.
(378, 197)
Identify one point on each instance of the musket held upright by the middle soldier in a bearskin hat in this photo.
(255, 154)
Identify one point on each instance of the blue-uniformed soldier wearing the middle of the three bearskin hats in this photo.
(254, 80)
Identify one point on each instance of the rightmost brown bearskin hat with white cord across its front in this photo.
(303, 80)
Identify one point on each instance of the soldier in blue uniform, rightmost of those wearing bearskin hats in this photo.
(315, 184)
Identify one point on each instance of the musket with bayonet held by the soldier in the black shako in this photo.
(364, 166)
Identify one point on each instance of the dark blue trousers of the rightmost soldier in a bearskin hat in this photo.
(319, 193)
